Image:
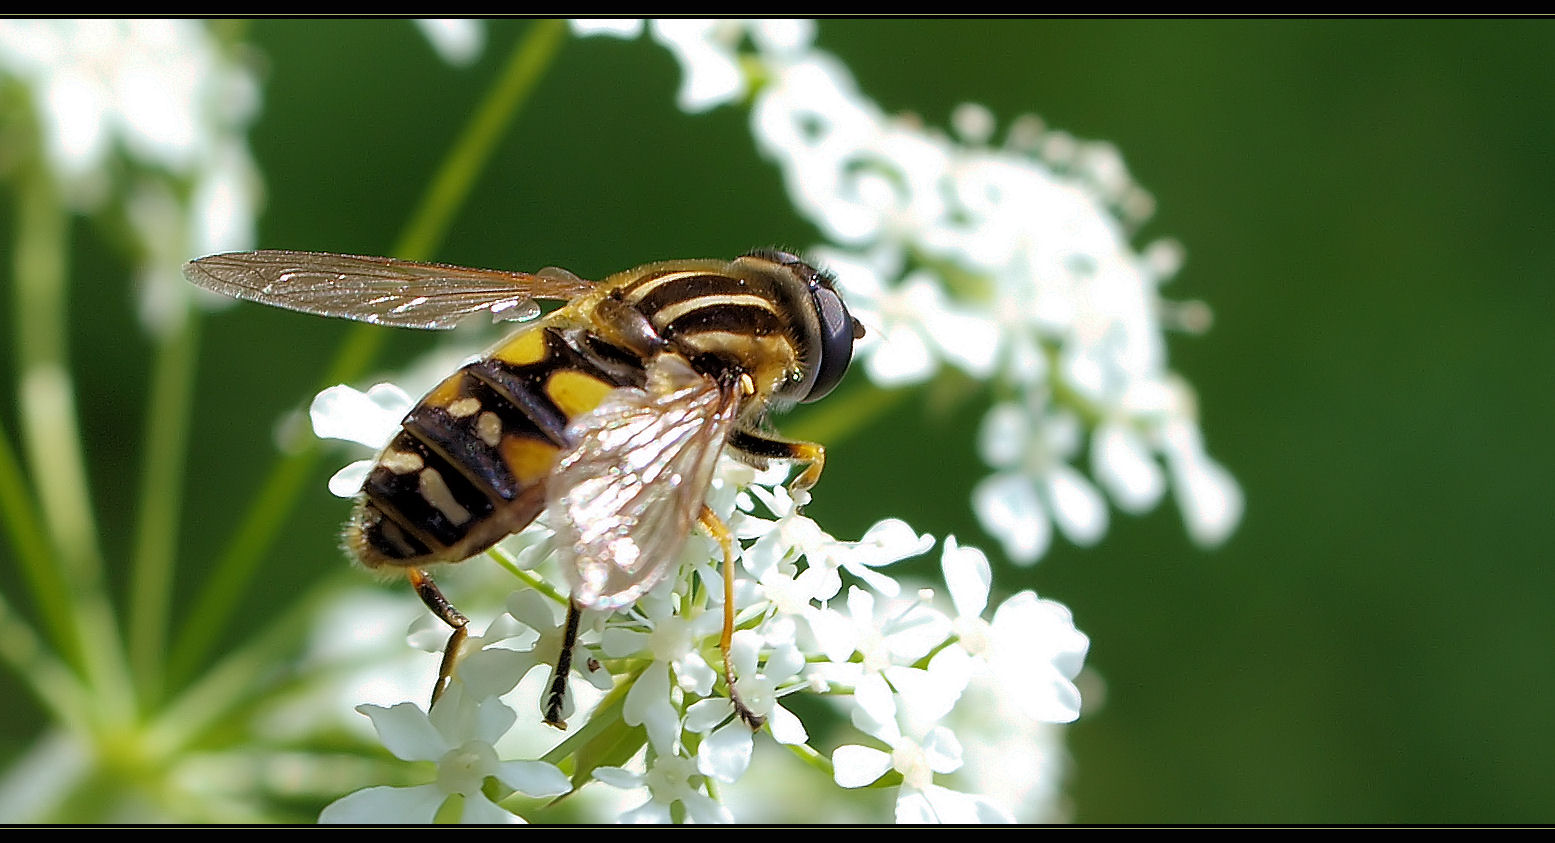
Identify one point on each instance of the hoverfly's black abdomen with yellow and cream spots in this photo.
(472, 461)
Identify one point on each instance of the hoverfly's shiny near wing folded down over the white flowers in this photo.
(626, 498)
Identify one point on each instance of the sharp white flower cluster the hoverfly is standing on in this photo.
(816, 617)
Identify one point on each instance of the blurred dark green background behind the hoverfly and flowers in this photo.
(1366, 206)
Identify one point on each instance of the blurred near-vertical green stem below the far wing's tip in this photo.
(161, 500)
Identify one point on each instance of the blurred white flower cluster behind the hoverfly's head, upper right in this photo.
(1007, 262)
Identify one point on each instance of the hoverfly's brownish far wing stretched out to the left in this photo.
(386, 292)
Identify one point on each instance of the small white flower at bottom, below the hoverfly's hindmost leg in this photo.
(458, 736)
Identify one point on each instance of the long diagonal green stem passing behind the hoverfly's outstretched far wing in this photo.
(446, 195)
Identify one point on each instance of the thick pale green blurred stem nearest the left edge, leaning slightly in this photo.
(52, 436)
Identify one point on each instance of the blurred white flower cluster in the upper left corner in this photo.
(164, 97)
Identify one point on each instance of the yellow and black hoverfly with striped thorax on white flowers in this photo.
(610, 411)
